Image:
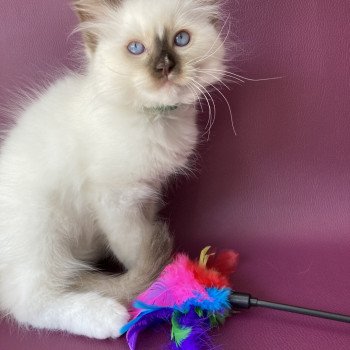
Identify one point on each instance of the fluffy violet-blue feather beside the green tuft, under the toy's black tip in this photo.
(199, 338)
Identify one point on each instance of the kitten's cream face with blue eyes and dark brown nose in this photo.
(156, 52)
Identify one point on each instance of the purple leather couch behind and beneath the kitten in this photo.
(279, 192)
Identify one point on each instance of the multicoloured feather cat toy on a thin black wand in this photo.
(195, 297)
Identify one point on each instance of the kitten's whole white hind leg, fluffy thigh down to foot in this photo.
(37, 270)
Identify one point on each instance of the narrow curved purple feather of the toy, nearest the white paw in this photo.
(149, 320)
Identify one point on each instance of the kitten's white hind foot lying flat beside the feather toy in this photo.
(88, 314)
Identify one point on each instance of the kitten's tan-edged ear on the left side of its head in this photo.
(89, 12)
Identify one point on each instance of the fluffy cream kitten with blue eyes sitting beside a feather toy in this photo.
(82, 170)
